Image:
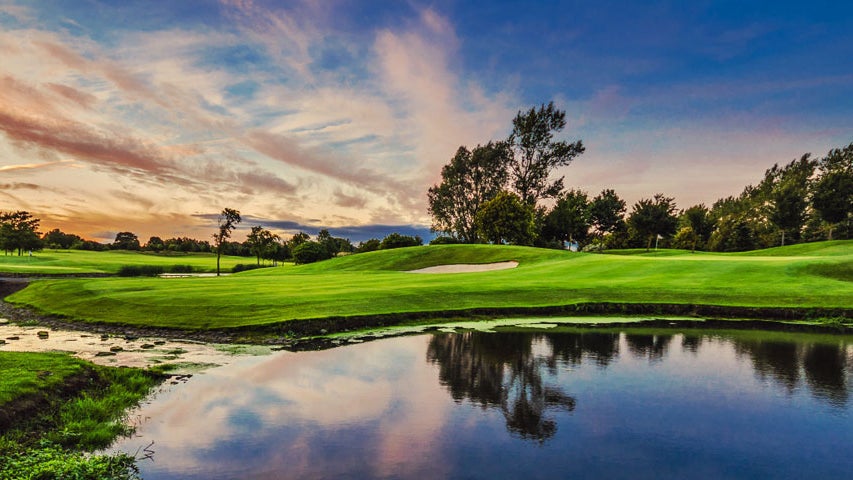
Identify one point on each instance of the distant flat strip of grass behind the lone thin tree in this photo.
(52, 262)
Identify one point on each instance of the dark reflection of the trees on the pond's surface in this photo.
(505, 370)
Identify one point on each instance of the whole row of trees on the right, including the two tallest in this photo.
(502, 192)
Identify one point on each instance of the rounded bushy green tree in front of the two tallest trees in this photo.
(506, 218)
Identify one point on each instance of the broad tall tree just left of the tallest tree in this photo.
(470, 179)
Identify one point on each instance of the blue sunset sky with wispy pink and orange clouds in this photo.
(153, 116)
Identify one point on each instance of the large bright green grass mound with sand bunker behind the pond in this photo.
(801, 276)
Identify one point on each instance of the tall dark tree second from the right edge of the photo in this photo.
(788, 196)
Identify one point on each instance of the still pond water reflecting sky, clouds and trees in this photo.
(552, 404)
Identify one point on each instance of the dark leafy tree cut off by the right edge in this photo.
(832, 191)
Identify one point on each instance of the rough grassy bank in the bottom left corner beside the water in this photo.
(56, 407)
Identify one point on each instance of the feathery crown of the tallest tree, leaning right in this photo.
(535, 154)
